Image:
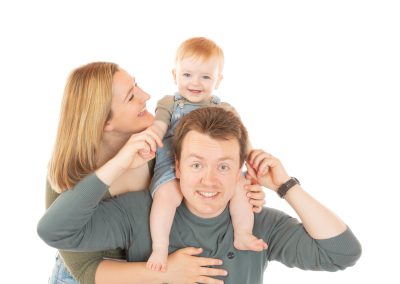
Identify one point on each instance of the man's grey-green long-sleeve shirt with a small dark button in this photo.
(79, 220)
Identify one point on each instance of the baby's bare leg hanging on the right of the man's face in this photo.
(243, 220)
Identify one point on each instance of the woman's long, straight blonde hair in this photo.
(85, 109)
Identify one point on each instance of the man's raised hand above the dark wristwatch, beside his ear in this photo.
(266, 170)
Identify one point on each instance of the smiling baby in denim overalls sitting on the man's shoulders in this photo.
(197, 73)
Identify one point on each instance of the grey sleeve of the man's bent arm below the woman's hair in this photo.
(78, 220)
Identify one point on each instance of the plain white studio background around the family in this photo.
(314, 81)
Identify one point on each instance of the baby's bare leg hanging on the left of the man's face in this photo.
(166, 199)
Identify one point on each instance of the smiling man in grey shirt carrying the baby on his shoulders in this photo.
(210, 148)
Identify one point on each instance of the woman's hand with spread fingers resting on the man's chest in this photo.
(184, 267)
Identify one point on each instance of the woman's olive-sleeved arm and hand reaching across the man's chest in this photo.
(90, 267)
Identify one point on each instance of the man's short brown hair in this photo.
(217, 123)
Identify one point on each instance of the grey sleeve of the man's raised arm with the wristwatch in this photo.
(290, 244)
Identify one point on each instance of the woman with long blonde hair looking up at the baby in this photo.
(103, 110)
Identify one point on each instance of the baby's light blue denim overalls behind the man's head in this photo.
(164, 170)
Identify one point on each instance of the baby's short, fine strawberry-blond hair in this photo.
(200, 48)
